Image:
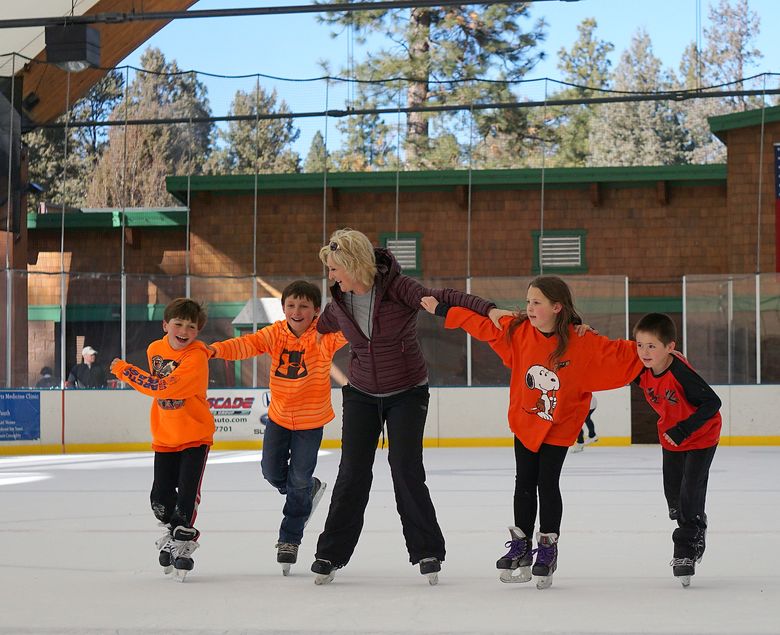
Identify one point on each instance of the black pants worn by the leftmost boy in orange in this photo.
(176, 489)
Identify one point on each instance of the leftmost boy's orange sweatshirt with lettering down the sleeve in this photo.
(180, 417)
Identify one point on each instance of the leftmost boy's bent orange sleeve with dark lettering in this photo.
(187, 380)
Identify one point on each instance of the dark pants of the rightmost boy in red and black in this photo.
(685, 483)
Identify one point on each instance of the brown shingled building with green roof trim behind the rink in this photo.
(652, 224)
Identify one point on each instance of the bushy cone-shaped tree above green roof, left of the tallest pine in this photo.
(267, 148)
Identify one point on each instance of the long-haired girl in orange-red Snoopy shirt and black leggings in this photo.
(555, 367)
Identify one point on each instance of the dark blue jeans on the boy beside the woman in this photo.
(288, 461)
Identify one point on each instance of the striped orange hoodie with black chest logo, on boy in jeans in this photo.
(300, 371)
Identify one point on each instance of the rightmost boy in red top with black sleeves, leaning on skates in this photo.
(689, 424)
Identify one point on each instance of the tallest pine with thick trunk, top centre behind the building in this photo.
(440, 49)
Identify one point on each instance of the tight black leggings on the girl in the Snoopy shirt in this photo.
(538, 472)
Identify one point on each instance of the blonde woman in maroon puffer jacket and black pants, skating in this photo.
(376, 307)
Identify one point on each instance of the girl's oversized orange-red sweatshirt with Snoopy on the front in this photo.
(549, 404)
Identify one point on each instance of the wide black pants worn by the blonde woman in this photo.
(364, 418)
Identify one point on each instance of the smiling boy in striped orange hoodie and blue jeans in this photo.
(300, 406)
